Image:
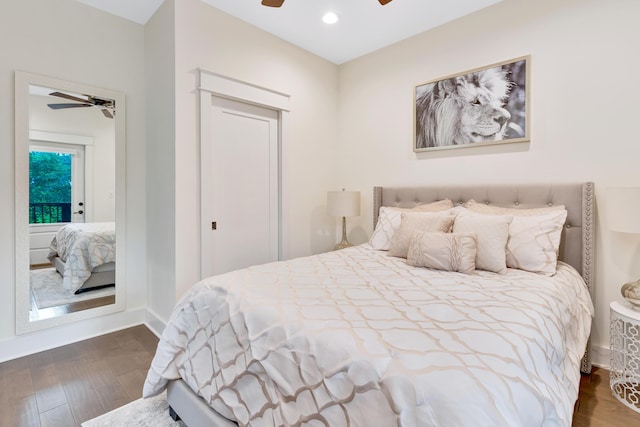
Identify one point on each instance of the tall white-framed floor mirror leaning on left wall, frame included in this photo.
(69, 197)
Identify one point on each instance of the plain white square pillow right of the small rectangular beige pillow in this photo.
(492, 233)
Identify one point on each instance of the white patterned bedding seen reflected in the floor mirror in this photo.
(83, 247)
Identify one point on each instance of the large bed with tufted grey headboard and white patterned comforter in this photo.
(359, 337)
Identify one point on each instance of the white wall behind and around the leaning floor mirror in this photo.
(70, 41)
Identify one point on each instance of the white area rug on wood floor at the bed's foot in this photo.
(152, 412)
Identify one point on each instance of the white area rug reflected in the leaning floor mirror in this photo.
(46, 286)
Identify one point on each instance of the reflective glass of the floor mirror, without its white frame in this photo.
(71, 214)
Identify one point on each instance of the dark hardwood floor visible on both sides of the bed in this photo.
(68, 385)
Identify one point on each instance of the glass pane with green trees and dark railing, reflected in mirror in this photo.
(49, 187)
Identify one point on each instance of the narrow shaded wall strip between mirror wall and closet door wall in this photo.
(161, 149)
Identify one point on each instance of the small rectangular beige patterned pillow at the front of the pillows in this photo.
(443, 251)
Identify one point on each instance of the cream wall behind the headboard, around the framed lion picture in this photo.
(584, 63)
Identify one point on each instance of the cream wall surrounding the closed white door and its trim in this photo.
(212, 40)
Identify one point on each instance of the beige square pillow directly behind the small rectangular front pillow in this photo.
(412, 222)
